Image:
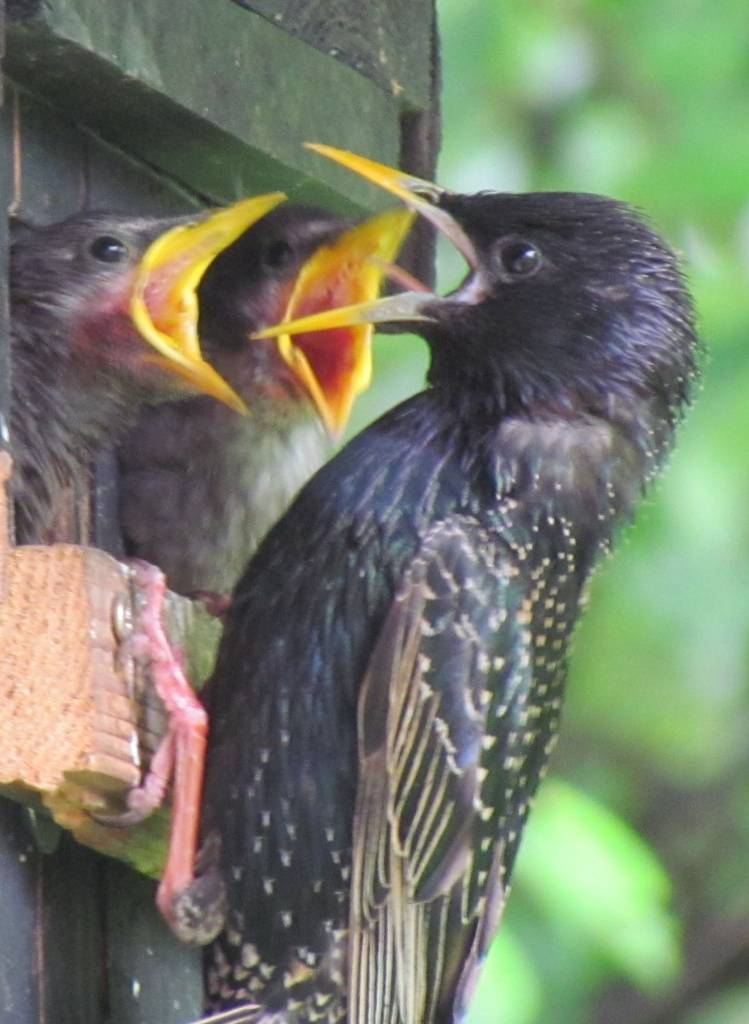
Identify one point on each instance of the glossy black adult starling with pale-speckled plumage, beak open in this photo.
(390, 682)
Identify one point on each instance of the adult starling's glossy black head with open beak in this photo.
(572, 305)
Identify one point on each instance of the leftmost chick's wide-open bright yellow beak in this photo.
(164, 305)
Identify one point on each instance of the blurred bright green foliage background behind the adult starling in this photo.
(632, 895)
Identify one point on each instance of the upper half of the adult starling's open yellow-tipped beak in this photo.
(424, 197)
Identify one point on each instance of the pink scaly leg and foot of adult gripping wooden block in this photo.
(181, 754)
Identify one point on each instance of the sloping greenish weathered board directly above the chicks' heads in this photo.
(224, 129)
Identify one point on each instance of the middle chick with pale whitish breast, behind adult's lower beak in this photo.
(201, 486)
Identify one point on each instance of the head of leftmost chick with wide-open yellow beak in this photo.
(111, 298)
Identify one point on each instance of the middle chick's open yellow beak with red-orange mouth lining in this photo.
(336, 363)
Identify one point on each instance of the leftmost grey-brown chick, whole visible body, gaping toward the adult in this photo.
(86, 296)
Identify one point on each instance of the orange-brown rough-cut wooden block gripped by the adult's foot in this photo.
(78, 716)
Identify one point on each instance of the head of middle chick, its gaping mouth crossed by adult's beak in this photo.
(297, 262)
